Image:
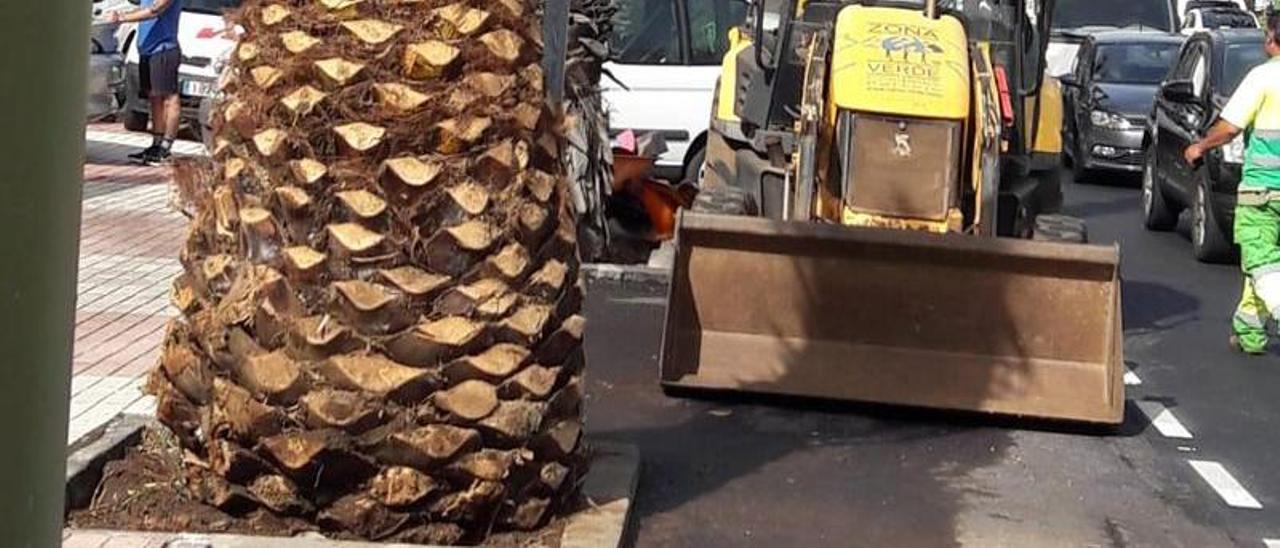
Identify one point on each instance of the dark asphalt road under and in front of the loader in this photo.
(740, 473)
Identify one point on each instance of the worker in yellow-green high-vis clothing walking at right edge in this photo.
(1255, 107)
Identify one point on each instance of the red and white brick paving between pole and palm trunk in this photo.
(130, 240)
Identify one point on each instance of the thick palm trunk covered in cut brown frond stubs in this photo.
(381, 296)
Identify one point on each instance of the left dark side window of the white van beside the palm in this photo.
(647, 33)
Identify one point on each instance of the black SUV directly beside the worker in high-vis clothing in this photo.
(1210, 67)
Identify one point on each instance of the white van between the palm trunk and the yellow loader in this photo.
(668, 54)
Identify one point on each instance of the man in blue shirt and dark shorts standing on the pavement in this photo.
(158, 71)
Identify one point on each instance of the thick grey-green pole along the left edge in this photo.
(44, 58)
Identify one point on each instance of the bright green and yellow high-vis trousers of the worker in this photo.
(1258, 232)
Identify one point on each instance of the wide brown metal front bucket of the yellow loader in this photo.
(893, 317)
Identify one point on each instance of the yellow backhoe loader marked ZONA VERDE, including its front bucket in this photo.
(888, 171)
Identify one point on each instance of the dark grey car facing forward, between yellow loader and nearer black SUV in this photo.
(1109, 97)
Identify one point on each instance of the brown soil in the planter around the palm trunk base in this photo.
(149, 490)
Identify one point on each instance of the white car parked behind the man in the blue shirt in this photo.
(205, 48)
